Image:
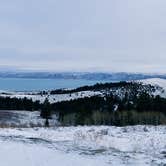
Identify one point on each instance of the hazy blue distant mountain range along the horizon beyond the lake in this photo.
(86, 76)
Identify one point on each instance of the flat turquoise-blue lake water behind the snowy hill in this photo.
(21, 84)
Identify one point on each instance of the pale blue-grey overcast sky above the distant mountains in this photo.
(83, 35)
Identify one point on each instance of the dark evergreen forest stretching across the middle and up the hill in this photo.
(136, 106)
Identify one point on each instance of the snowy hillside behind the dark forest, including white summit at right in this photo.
(159, 84)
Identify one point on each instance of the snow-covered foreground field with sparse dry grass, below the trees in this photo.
(90, 146)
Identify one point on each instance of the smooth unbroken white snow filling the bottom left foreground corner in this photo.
(20, 154)
